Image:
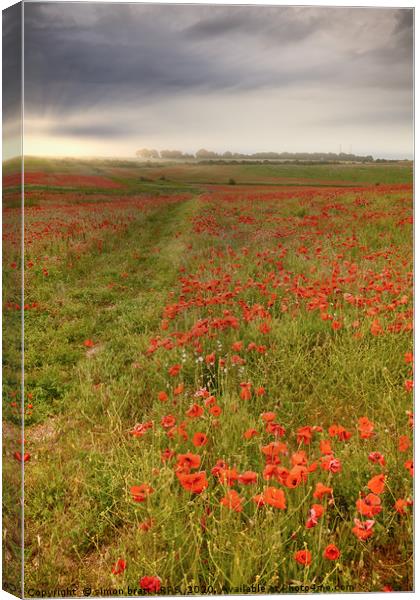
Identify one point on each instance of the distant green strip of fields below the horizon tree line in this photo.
(189, 173)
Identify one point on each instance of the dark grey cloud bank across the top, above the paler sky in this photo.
(79, 55)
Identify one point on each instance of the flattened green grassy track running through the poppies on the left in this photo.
(59, 443)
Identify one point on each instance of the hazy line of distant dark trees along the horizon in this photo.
(204, 154)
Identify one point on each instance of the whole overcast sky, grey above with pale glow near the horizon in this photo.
(107, 79)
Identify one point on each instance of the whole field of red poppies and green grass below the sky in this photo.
(218, 378)
